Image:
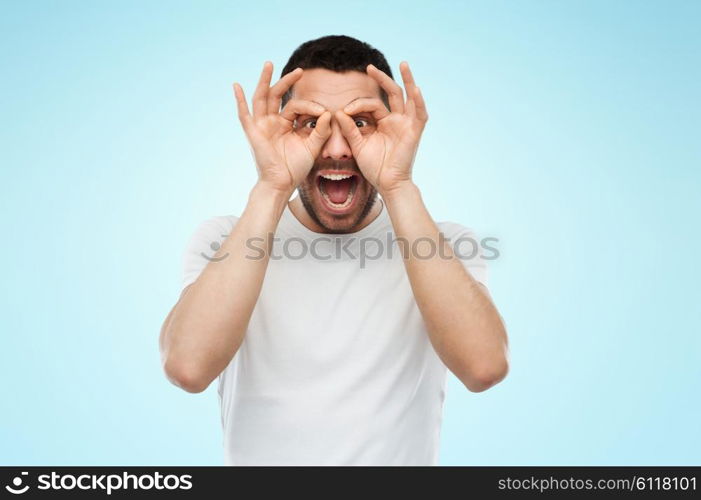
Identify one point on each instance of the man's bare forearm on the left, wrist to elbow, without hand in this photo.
(206, 327)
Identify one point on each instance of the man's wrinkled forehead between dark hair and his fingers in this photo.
(334, 90)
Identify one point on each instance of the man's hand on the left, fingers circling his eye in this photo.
(283, 155)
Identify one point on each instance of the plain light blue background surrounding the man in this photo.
(568, 130)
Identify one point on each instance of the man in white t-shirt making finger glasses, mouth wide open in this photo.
(329, 350)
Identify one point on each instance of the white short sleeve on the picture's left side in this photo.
(203, 245)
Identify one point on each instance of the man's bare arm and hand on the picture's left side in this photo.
(206, 327)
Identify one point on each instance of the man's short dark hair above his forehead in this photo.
(338, 53)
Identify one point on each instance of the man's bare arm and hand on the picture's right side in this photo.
(464, 326)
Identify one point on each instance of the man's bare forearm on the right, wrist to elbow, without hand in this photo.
(464, 327)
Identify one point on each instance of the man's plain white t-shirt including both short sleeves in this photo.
(336, 367)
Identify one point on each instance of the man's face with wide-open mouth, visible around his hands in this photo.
(335, 193)
